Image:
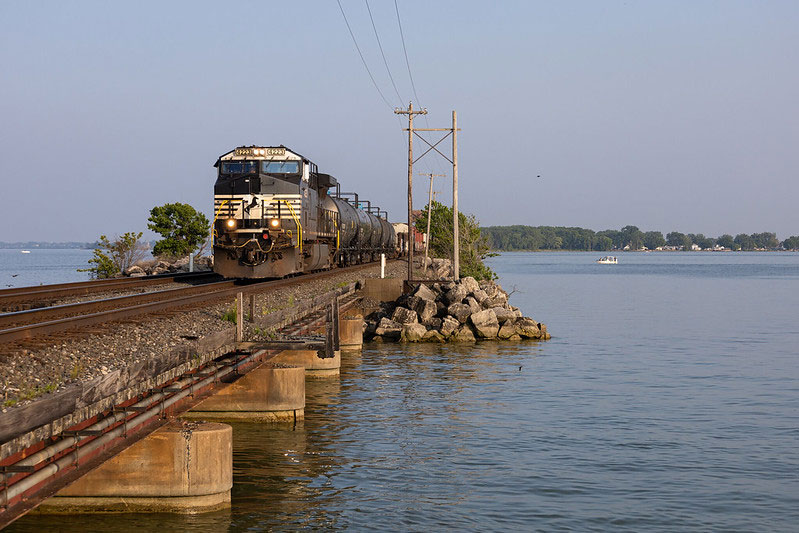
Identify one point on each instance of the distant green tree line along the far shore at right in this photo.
(507, 238)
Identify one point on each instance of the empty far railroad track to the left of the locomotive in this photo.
(40, 296)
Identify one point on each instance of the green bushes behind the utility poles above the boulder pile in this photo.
(473, 246)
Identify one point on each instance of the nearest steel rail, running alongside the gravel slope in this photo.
(30, 331)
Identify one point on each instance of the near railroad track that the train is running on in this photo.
(25, 325)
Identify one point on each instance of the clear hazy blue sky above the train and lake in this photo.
(670, 115)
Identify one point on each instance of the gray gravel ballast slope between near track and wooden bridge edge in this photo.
(27, 374)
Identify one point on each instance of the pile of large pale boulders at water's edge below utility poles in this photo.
(452, 312)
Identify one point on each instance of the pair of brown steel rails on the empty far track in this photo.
(82, 288)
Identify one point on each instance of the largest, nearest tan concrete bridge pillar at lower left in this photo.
(184, 467)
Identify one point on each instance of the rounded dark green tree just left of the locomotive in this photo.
(182, 227)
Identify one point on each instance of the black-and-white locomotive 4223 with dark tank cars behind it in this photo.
(276, 215)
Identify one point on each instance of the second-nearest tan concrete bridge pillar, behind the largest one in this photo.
(273, 392)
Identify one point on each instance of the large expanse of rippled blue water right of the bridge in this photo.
(667, 400)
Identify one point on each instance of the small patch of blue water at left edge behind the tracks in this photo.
(42, 266)
